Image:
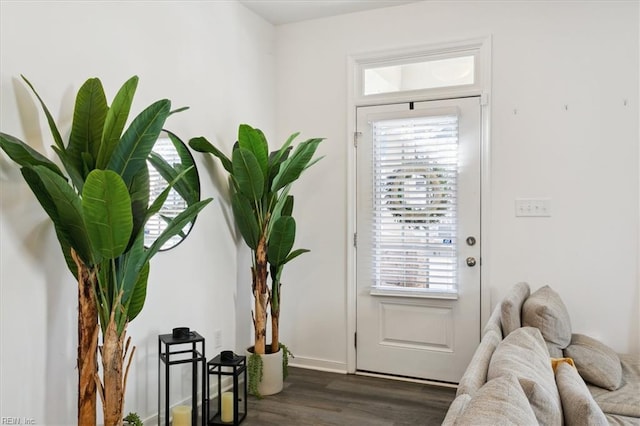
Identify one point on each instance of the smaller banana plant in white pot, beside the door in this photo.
(262, 207)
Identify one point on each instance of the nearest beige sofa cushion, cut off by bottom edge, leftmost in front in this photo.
(500, 401)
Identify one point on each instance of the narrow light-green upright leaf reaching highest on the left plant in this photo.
(115, 121)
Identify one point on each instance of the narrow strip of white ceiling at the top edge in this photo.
(280, 12)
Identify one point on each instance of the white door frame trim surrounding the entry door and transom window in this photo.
(483, 45)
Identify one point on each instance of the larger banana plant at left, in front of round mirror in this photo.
(99, 208)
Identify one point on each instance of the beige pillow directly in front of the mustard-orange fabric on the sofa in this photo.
(578, 405)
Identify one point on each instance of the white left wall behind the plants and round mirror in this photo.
(215, 57)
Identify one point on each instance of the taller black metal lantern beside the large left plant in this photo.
(182, 347)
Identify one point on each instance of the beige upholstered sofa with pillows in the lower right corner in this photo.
(531, 369)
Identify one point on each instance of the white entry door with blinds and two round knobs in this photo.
(418, 238)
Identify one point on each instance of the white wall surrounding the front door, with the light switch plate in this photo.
(585, 158)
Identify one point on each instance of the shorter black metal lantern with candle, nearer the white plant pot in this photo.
(232, 404)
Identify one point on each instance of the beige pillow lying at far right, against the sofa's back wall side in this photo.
(596, 362)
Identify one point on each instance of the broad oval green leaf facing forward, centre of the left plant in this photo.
(107, 212)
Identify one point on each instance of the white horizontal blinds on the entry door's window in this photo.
(415, 206)
